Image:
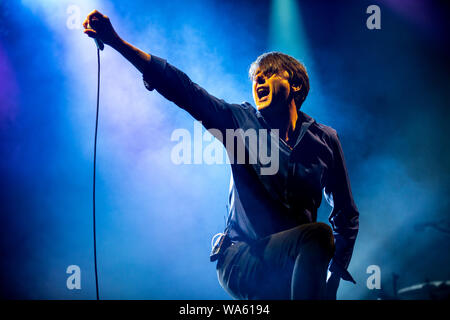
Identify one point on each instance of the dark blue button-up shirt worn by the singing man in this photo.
(263, 204)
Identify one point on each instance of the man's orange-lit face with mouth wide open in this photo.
(271, 90)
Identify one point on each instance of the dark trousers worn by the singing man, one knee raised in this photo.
(291, 264)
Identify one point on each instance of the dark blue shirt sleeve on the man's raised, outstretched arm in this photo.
(177, 87)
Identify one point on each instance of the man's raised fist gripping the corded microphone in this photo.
(98, 26)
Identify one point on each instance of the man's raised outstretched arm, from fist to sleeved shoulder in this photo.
(169, 81)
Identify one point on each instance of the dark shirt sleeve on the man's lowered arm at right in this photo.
(344, 217)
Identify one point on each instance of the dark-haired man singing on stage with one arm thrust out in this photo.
(272, 246)
